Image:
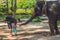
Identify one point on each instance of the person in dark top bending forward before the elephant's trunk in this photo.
(12, 24)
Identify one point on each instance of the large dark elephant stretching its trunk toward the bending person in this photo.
(51, 9)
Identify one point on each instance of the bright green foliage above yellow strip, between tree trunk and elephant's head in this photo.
(25, 3)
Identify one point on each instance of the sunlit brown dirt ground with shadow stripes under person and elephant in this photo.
(31, 31)
